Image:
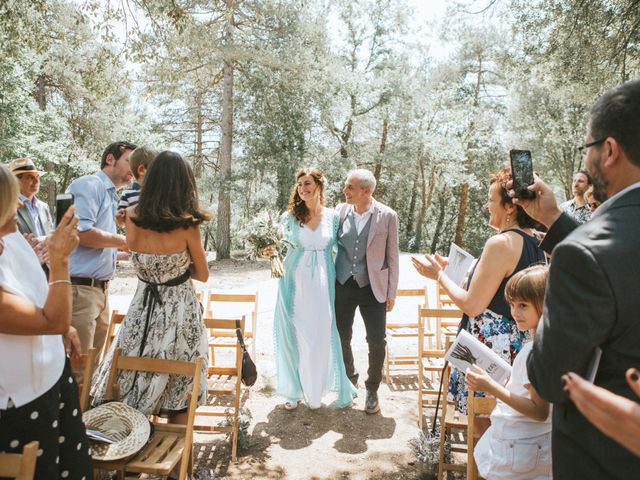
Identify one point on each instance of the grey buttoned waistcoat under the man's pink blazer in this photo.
(352, 252)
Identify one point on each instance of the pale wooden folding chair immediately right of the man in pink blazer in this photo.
(396, 329)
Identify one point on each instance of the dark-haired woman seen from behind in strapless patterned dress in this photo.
(164, 319)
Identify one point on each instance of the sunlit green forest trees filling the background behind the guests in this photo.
(335, 84)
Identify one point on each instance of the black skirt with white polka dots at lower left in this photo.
(54, 420)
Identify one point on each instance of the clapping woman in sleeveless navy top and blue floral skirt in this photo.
(486, 312)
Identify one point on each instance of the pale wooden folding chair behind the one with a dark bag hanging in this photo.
(231, 305)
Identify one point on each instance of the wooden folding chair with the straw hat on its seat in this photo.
(170, 443)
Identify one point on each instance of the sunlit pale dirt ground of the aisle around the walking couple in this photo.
(303, 444)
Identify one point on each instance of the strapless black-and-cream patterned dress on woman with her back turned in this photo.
(175, 332)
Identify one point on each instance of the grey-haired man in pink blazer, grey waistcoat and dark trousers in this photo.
(366, 274)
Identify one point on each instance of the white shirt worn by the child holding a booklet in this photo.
(505, 421)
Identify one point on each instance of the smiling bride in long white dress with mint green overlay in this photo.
(307, 346)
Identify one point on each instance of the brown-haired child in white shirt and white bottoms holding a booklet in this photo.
(517, 446)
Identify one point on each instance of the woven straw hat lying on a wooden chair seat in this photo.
(129, 427)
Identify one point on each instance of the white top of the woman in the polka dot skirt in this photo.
(29, 364)
